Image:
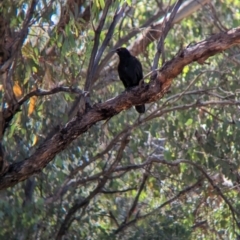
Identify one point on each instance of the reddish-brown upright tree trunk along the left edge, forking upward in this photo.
(6, 73)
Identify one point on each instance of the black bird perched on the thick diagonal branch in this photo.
(130, 71)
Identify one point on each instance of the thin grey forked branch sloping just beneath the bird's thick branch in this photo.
(69, 182)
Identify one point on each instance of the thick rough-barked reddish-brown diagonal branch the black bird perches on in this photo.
(139, 95)
